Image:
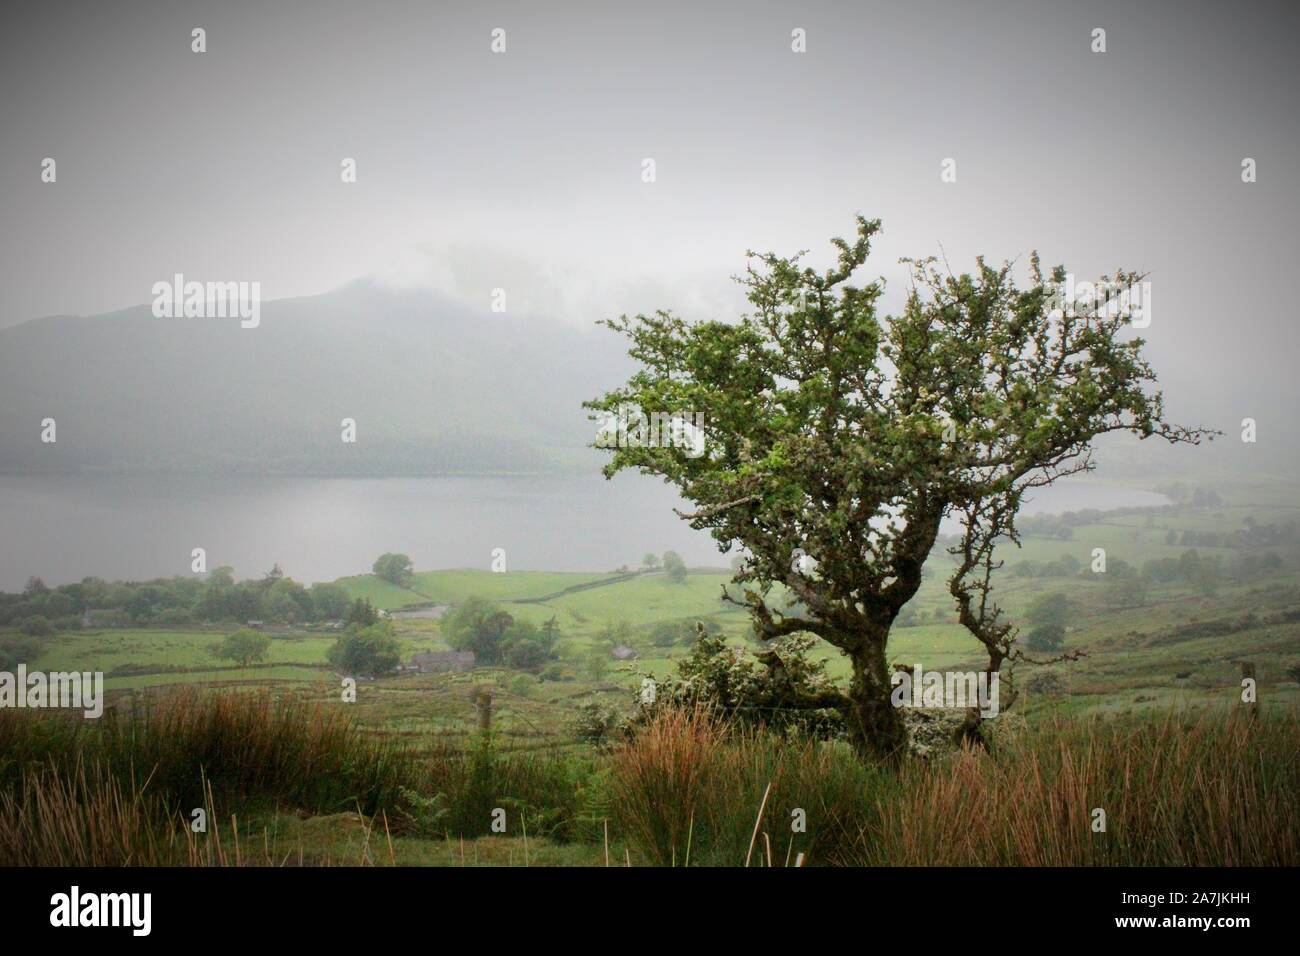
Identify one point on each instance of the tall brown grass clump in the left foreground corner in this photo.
(124, 791)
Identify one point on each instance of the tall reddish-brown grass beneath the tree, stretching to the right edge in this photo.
(1204, 791)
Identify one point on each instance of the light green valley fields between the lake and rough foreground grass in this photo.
(1129, 664)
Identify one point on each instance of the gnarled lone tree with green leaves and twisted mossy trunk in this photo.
(838, 440)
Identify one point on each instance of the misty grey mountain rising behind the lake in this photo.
(435, 388)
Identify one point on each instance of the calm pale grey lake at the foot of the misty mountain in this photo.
(67, 529)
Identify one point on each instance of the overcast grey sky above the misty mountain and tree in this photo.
(523, 170)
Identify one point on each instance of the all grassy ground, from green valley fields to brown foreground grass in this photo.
(1149, 726)
